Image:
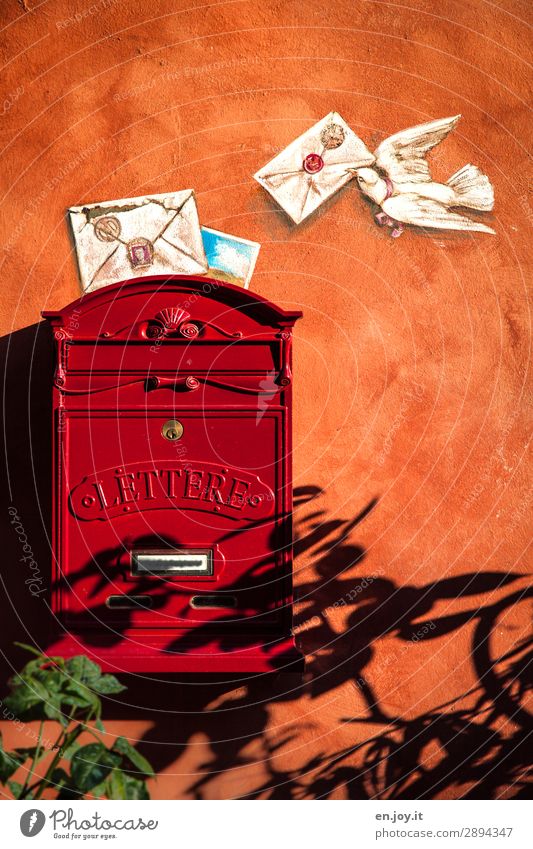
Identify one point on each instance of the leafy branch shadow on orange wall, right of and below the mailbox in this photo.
(477, 742)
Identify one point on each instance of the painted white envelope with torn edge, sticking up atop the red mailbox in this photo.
(133, 237)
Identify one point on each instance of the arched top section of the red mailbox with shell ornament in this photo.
(112, 342)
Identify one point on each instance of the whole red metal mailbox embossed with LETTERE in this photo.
(172, 539)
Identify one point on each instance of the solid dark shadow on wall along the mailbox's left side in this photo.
(26, 373)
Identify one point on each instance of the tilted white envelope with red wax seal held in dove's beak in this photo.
(314, 166)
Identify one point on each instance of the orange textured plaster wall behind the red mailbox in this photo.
(412, 367)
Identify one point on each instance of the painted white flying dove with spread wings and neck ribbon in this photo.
(400, 183)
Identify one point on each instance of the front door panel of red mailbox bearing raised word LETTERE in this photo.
(217, 486)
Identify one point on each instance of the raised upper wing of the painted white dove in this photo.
(403, 155)
